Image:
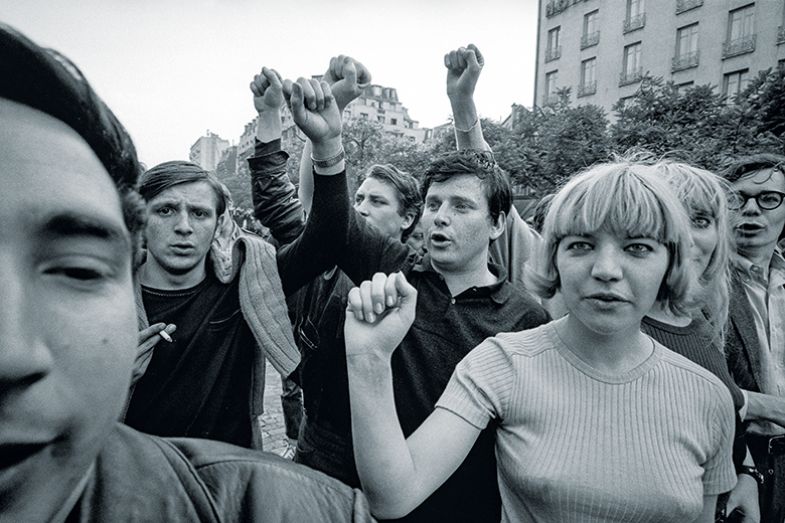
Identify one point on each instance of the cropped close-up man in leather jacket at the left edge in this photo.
(71, 223)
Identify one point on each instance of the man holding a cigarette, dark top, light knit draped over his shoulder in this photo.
(209, 381)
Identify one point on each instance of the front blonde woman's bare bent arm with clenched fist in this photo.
(397, 474)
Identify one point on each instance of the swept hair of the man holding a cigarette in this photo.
(170, 174)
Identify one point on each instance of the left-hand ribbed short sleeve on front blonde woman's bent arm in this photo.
(480, 386)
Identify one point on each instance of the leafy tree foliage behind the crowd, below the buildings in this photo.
(546, 145)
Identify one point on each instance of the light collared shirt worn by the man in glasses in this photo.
(766, 294)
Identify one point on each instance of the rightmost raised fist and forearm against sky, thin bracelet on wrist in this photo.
(464, 66)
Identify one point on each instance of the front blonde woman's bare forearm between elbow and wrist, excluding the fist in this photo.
(384, 462)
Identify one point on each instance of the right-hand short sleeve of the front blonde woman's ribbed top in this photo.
(719, 472)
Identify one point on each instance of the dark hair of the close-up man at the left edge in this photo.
(47, 81)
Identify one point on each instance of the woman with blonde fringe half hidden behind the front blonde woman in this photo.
(698, 334)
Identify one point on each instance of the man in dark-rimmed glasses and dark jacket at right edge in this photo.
(755, 341)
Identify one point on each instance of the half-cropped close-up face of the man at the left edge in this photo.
(67, 318)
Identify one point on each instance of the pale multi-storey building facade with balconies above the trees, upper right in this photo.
(601, 49)
